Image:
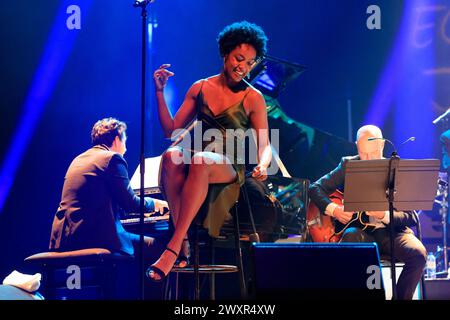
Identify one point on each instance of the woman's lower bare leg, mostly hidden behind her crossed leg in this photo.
(173, 177)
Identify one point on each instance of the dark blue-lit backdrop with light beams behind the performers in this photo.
(56, 82)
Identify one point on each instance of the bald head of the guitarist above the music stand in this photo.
(369, 150)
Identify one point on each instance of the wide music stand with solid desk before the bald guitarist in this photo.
(390, 184)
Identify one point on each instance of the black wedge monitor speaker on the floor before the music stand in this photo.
(316, 271)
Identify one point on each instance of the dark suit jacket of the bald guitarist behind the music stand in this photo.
(319, 191)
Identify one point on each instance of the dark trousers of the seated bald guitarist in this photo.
(407, 249)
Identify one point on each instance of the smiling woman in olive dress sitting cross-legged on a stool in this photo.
(223, 101)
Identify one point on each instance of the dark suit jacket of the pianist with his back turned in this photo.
(96, 185)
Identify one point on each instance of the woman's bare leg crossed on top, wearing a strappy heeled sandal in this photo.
(194, 192)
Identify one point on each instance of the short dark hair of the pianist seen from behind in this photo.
(106, 130)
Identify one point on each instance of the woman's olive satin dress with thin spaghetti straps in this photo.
(222, 133)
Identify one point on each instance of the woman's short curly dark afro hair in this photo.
(238, 33)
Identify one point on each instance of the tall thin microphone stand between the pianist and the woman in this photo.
(143, 5)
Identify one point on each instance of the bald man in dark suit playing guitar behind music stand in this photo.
(407, 248)
